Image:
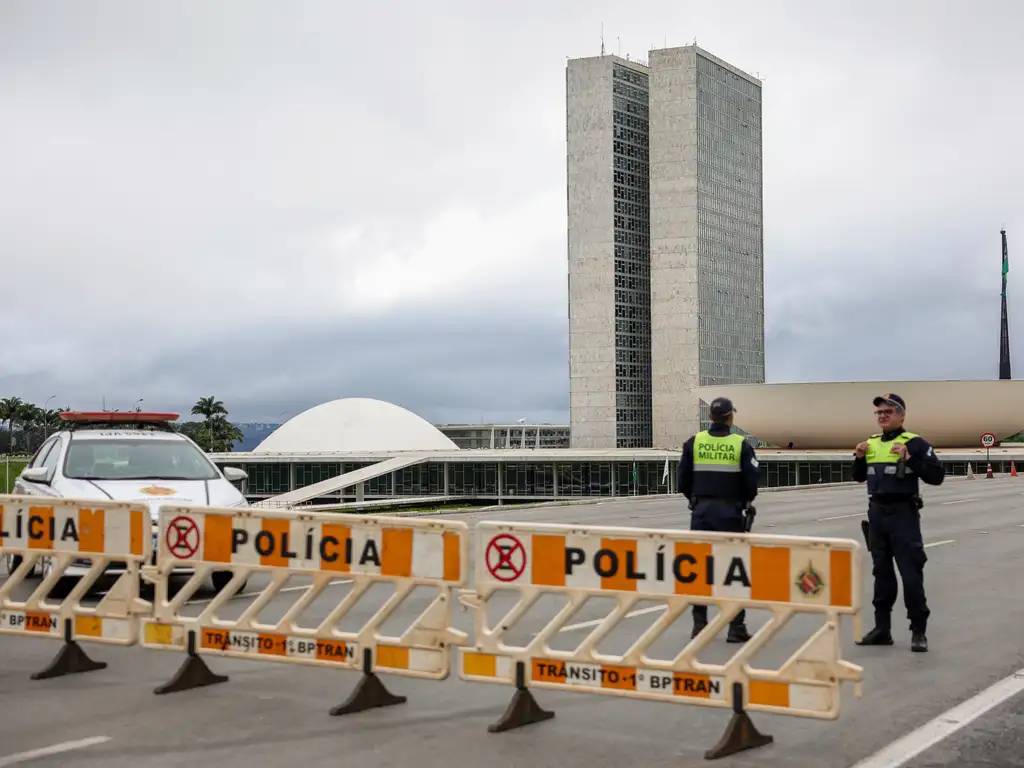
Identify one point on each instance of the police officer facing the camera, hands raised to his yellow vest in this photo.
(892, 463)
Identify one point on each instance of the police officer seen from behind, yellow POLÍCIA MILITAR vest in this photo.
(718, 475)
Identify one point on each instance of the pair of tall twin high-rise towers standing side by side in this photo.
(665, 243)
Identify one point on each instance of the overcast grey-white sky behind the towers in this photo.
(285, 203)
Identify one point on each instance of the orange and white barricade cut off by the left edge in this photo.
(74, 547)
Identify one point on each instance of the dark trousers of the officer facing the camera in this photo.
(895, 536)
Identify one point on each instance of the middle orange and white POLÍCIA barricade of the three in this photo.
(316, 623)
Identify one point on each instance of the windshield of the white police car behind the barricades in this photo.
(137, 460)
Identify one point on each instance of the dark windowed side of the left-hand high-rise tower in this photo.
(632, 235)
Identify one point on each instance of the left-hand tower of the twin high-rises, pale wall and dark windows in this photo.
(609, 253)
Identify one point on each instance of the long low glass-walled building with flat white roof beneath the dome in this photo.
(516, 476)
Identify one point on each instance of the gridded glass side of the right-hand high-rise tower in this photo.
(730, 228)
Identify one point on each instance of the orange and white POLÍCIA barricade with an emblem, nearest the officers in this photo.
(669, 572)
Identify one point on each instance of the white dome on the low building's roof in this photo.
(355, 424)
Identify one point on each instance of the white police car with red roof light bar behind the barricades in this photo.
(134, 457)
